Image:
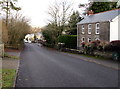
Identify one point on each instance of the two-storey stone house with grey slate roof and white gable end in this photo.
(102, 26)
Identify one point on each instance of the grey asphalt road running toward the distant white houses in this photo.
(44, 67)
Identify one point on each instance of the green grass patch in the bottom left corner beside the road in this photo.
(8, 76)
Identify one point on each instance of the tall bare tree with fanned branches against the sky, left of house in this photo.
(60, 13)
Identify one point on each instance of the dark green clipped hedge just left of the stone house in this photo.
(70, 41)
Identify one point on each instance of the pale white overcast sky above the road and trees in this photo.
(36, 10)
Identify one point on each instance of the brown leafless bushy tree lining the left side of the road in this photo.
(17, 29)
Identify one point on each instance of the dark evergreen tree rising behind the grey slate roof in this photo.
(99, 6)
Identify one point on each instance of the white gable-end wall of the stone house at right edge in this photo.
(115, 29)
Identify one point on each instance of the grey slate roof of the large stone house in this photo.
(100, 17)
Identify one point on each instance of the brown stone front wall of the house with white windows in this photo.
(104, 32)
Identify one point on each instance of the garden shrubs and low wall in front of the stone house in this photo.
(110, 50)
